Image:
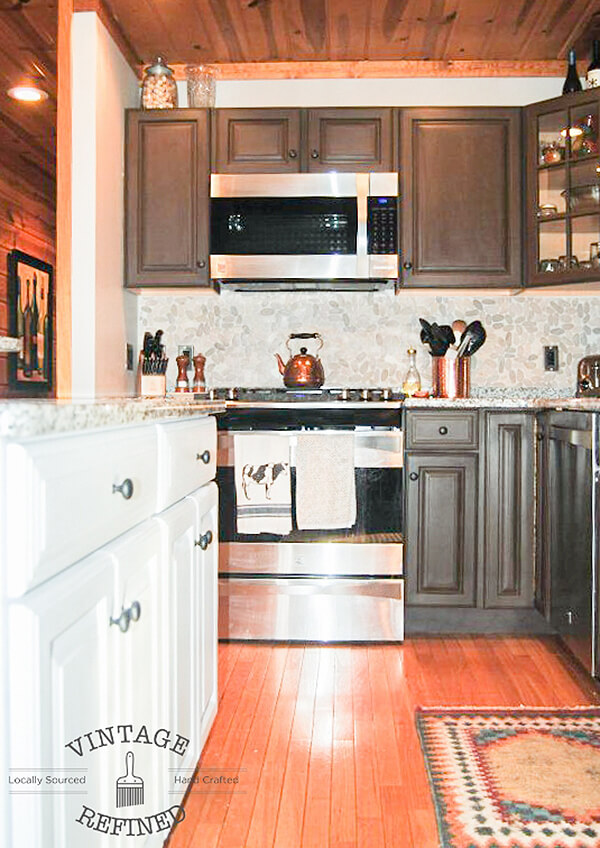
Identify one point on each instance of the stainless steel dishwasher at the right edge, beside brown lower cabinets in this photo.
(572, 516)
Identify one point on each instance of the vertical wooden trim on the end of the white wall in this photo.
(63, 203)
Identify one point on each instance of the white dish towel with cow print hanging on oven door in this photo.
(262, 483)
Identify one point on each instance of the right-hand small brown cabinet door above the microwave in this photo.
(350, 140)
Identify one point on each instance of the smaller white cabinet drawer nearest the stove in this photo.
(187, 453)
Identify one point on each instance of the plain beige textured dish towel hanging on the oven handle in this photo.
(325, 485)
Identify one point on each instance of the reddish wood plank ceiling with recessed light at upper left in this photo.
(28, 131)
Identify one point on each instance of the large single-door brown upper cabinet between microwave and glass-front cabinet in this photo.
(461, 197)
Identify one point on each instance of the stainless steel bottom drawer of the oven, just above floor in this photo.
(317, 609)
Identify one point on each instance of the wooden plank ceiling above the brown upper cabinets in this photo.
(241, 31)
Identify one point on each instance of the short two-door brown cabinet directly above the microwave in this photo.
(292, 140)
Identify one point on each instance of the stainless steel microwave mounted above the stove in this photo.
(304, 231)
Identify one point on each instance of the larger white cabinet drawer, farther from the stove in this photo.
(63, 499)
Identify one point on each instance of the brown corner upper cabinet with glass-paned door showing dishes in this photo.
(562, 199)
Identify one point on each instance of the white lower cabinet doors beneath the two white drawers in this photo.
(121, 646)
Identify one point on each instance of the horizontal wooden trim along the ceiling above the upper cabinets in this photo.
(378, 70)
